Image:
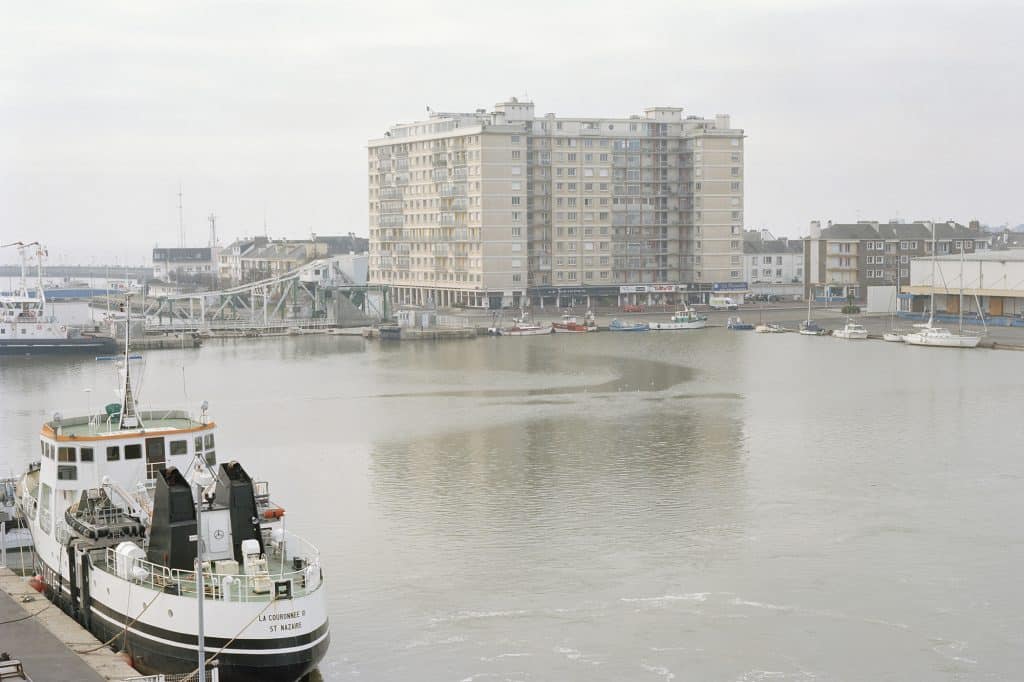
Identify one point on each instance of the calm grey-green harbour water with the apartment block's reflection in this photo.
(705, 505)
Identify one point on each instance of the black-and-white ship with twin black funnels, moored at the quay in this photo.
(117, 507)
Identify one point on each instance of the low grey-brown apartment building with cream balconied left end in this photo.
(842, 261)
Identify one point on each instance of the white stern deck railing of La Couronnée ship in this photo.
(293, 570)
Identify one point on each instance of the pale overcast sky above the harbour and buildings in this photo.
(870, 110)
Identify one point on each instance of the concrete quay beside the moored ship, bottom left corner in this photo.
(48, 642)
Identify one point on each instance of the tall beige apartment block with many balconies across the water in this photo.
(506, 208)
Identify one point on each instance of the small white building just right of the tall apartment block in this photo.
(774, 266)
